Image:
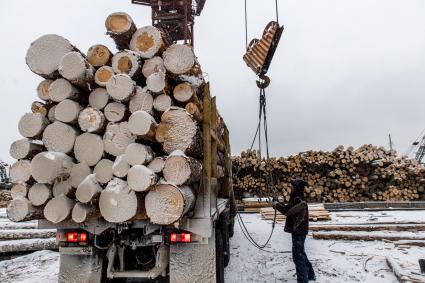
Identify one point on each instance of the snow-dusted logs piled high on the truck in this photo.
(111, 137)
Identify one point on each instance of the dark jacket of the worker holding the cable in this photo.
(296, 215)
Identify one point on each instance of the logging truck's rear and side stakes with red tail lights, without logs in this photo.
(194, 249)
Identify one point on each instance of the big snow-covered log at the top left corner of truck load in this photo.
(45, 53)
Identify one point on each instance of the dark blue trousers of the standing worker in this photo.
(302, 264)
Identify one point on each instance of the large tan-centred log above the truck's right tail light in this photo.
(167, 203)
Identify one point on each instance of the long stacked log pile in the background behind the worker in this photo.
(368, 173)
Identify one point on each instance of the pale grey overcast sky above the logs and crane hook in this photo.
(346, 72)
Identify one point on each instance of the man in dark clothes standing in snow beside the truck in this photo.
(297, 224)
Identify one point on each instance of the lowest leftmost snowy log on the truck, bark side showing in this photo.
(21, 209)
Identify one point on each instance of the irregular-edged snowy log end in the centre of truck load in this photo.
(117, 137)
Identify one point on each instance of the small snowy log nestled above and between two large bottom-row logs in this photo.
(141, 179)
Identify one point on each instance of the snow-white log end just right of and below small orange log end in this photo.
(121, 87)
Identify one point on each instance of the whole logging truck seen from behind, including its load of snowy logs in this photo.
(126, 155)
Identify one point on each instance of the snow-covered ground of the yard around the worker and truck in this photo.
(334, 261)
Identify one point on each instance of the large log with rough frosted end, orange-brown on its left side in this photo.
(179, 131)
